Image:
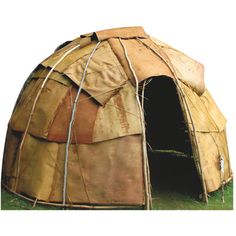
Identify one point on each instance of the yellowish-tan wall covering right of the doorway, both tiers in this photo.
(209, 128)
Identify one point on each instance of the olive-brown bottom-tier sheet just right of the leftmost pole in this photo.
(37, 165)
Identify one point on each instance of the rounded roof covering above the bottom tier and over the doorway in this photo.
(107, 107)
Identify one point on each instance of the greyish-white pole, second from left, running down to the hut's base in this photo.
(72, 123)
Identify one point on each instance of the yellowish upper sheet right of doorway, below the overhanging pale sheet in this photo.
(205, 118)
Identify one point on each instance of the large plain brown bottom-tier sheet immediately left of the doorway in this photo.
(111, 175)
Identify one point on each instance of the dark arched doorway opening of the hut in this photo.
(172, 167)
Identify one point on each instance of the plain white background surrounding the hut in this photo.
(203, 29)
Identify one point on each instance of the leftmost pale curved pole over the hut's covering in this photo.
(34, 105)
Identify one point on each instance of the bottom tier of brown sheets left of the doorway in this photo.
(98, 173)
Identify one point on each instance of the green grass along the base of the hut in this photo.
(162, 200)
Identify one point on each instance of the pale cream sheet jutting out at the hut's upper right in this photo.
(188, 70)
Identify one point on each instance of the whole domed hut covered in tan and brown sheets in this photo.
(94, 116)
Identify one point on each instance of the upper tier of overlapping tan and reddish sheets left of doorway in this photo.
(107, 106)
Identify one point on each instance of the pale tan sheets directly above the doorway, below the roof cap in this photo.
(149, 57)
